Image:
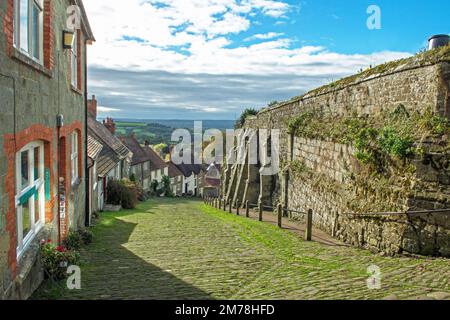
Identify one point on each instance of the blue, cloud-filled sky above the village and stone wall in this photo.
(211, 59)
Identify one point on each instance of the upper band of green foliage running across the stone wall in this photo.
(393, 134)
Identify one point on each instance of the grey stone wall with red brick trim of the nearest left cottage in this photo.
(31, 97)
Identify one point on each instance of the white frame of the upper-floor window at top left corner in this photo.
(31, 4)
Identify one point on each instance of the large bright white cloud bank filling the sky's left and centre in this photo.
(189, 39)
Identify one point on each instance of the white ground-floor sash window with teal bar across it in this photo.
(30, 194)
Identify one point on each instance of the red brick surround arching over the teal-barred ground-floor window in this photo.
(12, 145)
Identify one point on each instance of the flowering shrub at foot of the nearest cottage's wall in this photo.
(56, 259)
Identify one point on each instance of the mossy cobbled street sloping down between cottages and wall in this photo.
(183, 249)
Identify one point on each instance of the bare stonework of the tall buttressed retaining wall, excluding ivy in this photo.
(415, 84)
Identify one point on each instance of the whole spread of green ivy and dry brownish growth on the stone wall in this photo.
(383, 147)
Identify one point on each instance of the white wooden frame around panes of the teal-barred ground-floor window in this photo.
(39, 184)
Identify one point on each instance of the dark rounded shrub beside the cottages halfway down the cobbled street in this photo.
(123, 193)
